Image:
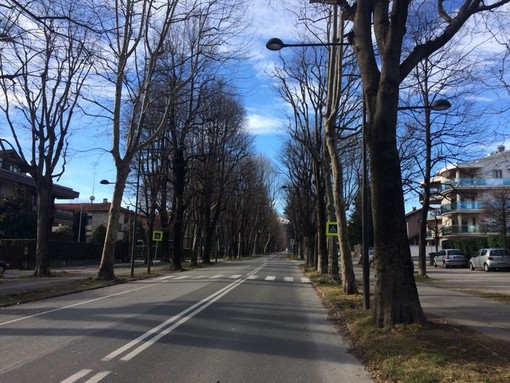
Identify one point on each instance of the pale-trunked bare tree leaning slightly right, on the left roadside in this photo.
(136, 43)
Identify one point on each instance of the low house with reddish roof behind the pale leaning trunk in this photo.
(97, 215)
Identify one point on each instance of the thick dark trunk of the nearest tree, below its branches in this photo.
(395, 294)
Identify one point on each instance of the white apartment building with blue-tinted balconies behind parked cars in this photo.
(461, 193)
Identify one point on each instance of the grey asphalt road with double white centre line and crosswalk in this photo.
(251, 321)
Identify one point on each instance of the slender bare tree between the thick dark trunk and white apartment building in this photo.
(432, 138)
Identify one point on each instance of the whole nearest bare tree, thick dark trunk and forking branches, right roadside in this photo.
(383, 67)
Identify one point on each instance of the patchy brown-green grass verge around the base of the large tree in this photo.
(436, 353)
